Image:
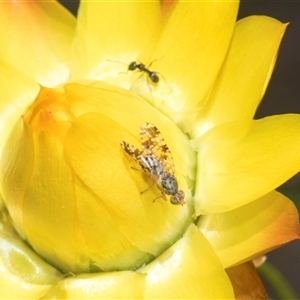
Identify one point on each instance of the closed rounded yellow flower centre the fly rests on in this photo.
(73, 192)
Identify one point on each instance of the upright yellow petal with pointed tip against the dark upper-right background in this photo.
(245, 73)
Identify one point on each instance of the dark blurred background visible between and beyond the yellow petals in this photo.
(282, 96)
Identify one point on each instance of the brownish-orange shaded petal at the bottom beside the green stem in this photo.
(246, 282)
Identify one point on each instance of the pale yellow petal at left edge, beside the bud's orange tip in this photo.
(17, 91)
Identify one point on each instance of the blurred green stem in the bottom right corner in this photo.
(276, 280)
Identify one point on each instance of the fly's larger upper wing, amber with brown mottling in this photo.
(153, 143)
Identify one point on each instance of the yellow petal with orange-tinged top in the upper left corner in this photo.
(36, 38)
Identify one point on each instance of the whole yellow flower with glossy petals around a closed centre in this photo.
(79, 220)
